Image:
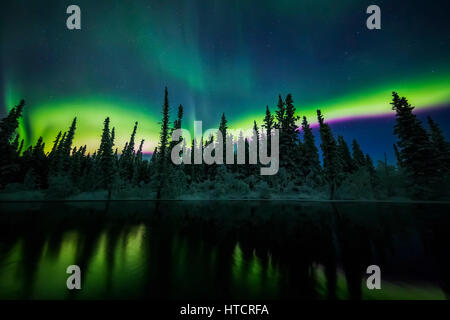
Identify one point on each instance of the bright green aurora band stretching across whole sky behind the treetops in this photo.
(48, 118)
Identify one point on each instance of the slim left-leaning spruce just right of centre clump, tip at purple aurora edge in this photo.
(331, 159)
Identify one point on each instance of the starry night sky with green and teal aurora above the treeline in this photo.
(222, 56)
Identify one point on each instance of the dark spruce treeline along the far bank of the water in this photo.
(345, 172)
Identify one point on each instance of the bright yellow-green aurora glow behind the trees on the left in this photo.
(48, 119)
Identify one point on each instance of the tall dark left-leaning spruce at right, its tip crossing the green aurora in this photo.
(416, 150)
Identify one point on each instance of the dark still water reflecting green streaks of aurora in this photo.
(207, 250)
